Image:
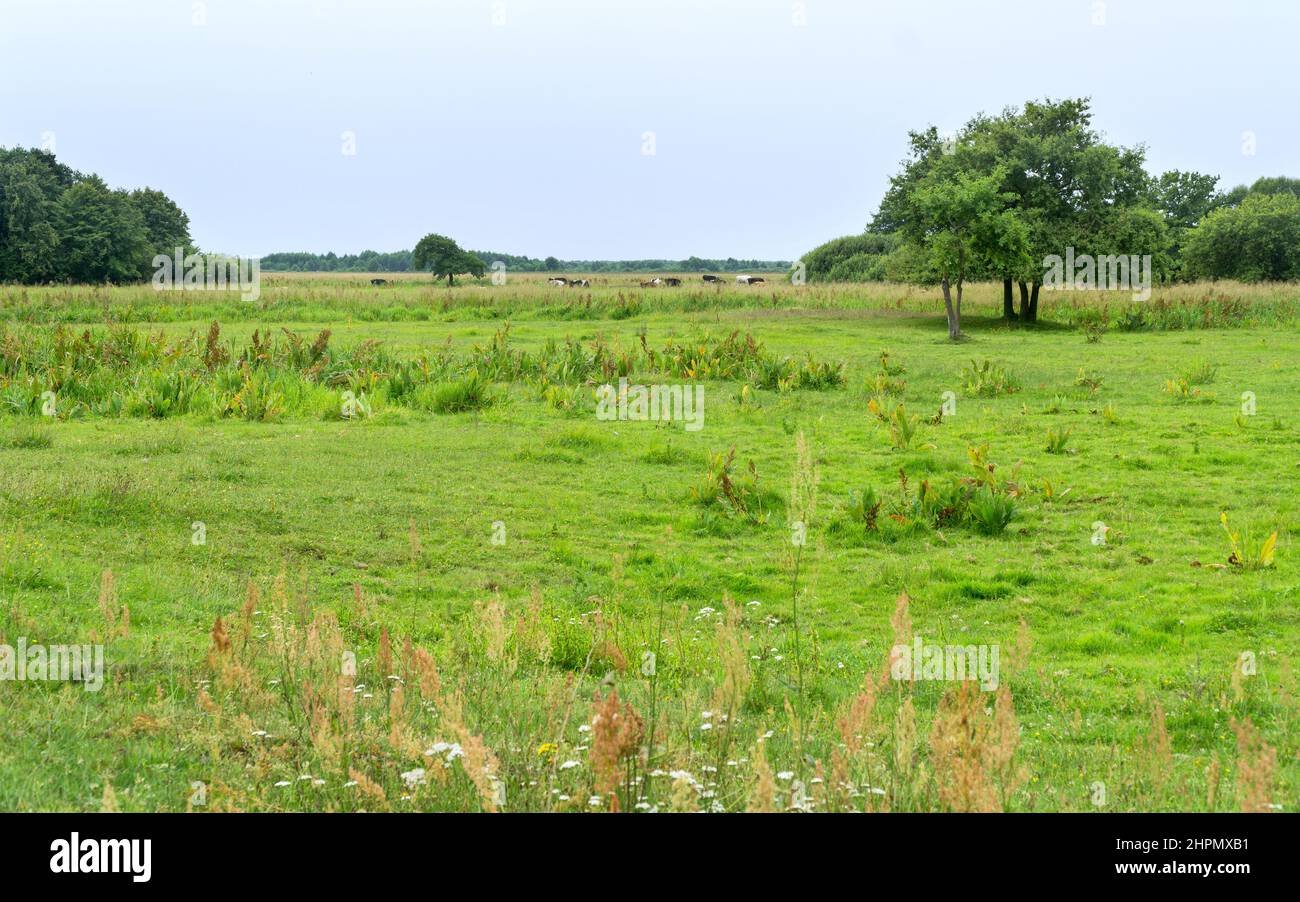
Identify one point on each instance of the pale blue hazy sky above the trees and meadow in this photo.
(616, 129)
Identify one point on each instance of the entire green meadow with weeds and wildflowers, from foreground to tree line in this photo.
(532, 554)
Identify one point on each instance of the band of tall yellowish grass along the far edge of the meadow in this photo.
(341, 298)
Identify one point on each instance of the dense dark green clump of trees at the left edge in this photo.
(60, 225)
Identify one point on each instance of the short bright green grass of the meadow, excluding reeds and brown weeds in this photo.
(601, 517)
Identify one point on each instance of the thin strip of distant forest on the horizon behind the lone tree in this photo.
(400, 262)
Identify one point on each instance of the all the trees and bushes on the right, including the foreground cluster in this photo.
(1003, 194)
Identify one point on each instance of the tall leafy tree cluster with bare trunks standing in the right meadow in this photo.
(1015, 189)
